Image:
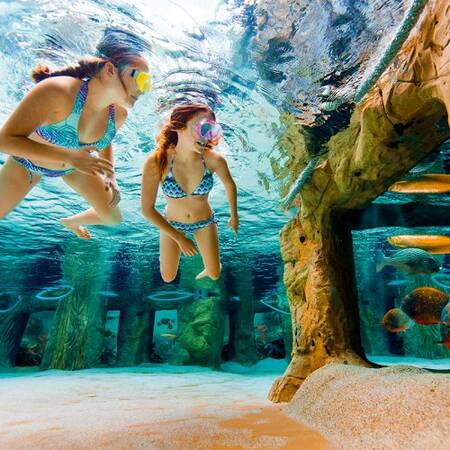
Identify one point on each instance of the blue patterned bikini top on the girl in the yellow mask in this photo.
(65, 133)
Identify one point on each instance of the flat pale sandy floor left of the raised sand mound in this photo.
(151, 407)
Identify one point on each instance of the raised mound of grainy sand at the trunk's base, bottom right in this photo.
(400, 407)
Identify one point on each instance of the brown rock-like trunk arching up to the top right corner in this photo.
(402, 119)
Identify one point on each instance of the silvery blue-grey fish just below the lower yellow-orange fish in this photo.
(412, 261)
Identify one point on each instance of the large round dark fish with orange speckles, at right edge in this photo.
(424, 305)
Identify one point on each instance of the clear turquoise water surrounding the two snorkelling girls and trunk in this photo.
(241, 59)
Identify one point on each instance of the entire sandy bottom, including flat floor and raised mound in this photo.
(167, 407)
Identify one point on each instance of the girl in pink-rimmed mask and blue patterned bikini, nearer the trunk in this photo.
(183, 165)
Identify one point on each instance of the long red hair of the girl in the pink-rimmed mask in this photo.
(168, 136)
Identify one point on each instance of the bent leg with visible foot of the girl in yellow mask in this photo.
(92, 189)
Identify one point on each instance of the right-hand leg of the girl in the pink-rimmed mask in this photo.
(208, 243)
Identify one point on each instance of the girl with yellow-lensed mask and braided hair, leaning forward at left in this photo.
(70, 113)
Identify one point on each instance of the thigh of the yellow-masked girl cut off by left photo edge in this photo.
(14, 185)
